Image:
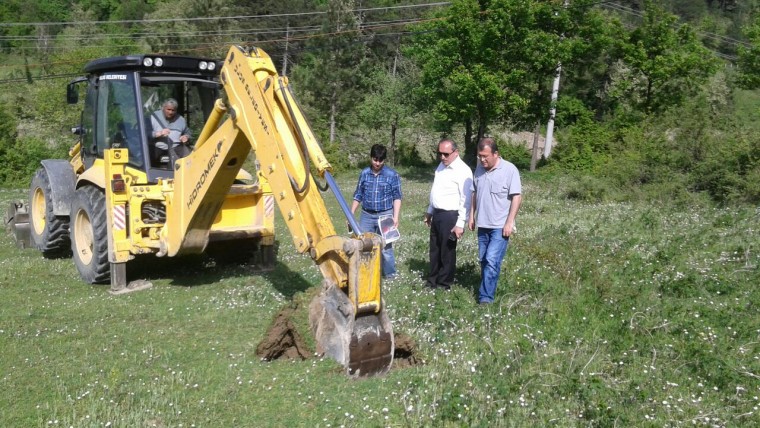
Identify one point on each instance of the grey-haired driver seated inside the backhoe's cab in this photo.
(170, 129)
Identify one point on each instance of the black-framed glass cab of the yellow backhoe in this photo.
(123, 107)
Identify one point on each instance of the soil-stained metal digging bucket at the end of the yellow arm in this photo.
(363, 345)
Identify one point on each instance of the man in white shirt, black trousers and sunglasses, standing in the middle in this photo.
(447, 213)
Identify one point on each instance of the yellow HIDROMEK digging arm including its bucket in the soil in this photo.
(348, 317)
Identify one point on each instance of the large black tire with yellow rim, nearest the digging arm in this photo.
(89, 235)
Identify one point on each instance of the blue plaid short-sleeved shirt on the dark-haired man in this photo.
(377, 192)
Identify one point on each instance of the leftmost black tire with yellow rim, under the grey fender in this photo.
(49, 233)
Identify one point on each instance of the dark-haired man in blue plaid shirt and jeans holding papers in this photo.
(379, 194)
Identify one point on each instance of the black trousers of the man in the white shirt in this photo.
(443, 251)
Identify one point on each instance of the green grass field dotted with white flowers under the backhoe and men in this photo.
(607, 314)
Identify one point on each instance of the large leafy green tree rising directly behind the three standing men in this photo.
(484, 61)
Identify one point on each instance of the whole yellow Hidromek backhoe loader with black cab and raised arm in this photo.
(122, 193)
